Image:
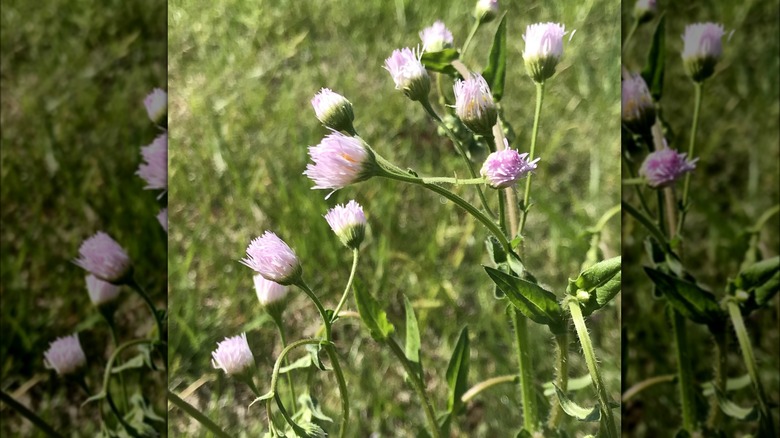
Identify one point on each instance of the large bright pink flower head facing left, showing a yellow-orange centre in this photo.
(339, 161)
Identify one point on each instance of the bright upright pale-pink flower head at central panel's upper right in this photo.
(543, 49)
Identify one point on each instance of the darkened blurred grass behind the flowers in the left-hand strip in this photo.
(73, 79)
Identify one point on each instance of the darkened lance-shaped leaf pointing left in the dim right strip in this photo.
(689, 299)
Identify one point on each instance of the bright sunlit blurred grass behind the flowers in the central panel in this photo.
(241, 76)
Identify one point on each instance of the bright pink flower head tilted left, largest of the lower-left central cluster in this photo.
(270, 257)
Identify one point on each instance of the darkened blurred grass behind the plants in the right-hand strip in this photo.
(736, 180)
